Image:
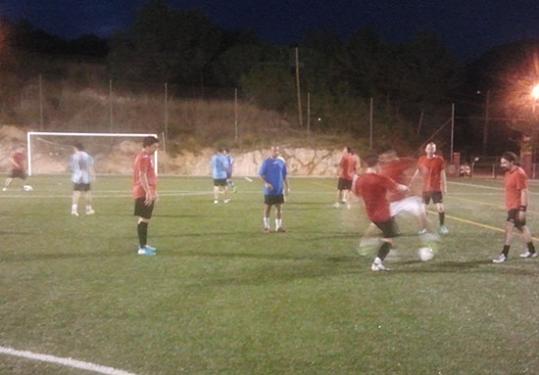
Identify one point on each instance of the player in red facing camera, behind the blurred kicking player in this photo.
(432, 169)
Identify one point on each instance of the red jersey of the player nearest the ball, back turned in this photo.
(373, 188)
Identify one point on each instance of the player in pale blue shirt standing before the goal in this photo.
(82, 174)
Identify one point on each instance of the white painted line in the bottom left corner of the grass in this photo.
(66, 362)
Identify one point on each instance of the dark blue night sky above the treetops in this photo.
(468, 28)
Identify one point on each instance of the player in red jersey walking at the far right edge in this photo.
(516, 202)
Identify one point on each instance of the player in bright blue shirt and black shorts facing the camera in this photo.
(274, 174)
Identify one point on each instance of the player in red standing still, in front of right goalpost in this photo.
(145, 191)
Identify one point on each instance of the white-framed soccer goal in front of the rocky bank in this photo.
(113, 153)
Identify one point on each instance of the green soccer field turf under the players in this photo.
(223, 297)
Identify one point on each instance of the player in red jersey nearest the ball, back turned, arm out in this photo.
(373, 188)
